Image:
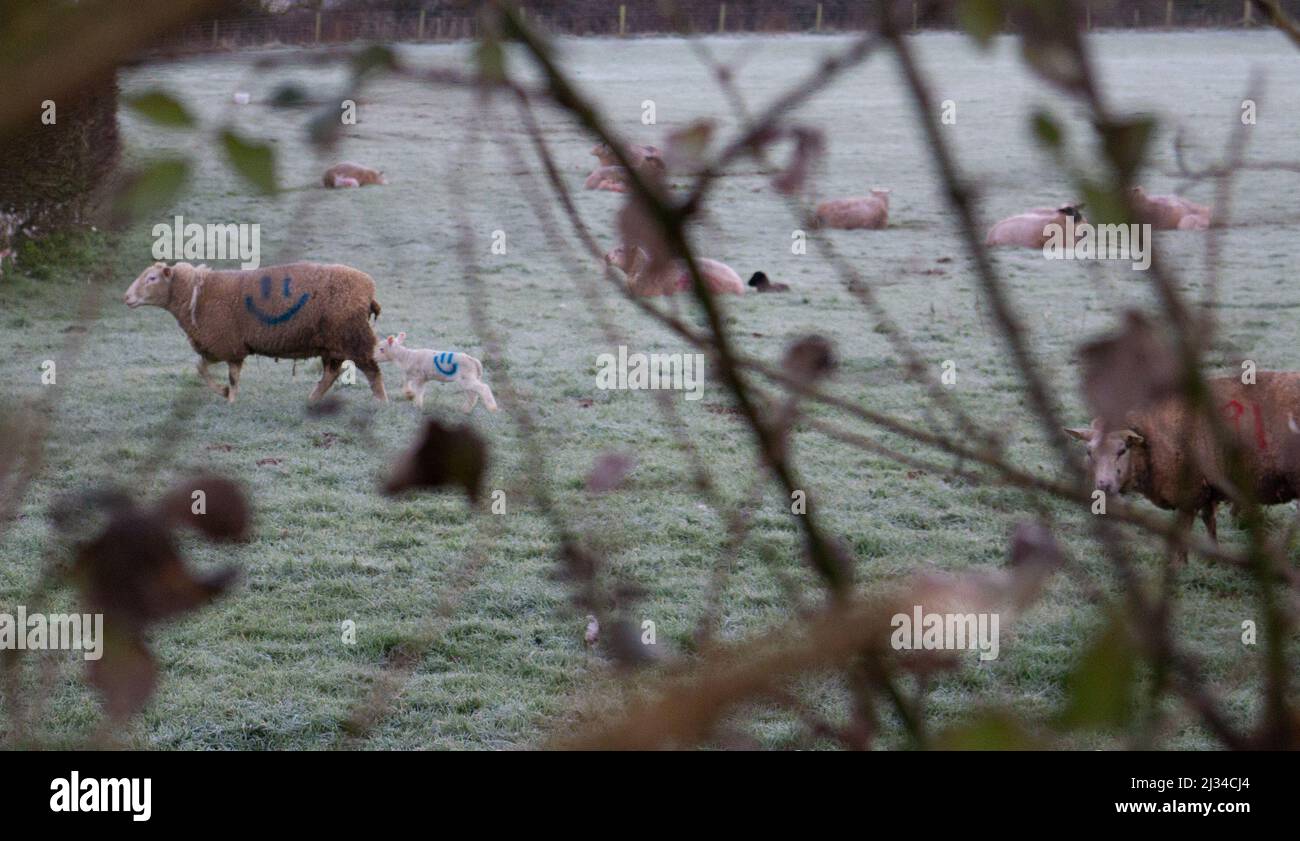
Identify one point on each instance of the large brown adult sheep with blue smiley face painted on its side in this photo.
(293, 311)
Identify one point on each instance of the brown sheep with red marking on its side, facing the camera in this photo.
(1173, 462)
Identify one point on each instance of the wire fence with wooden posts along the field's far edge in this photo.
(647, 18)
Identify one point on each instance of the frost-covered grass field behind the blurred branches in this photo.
(266, 666)
